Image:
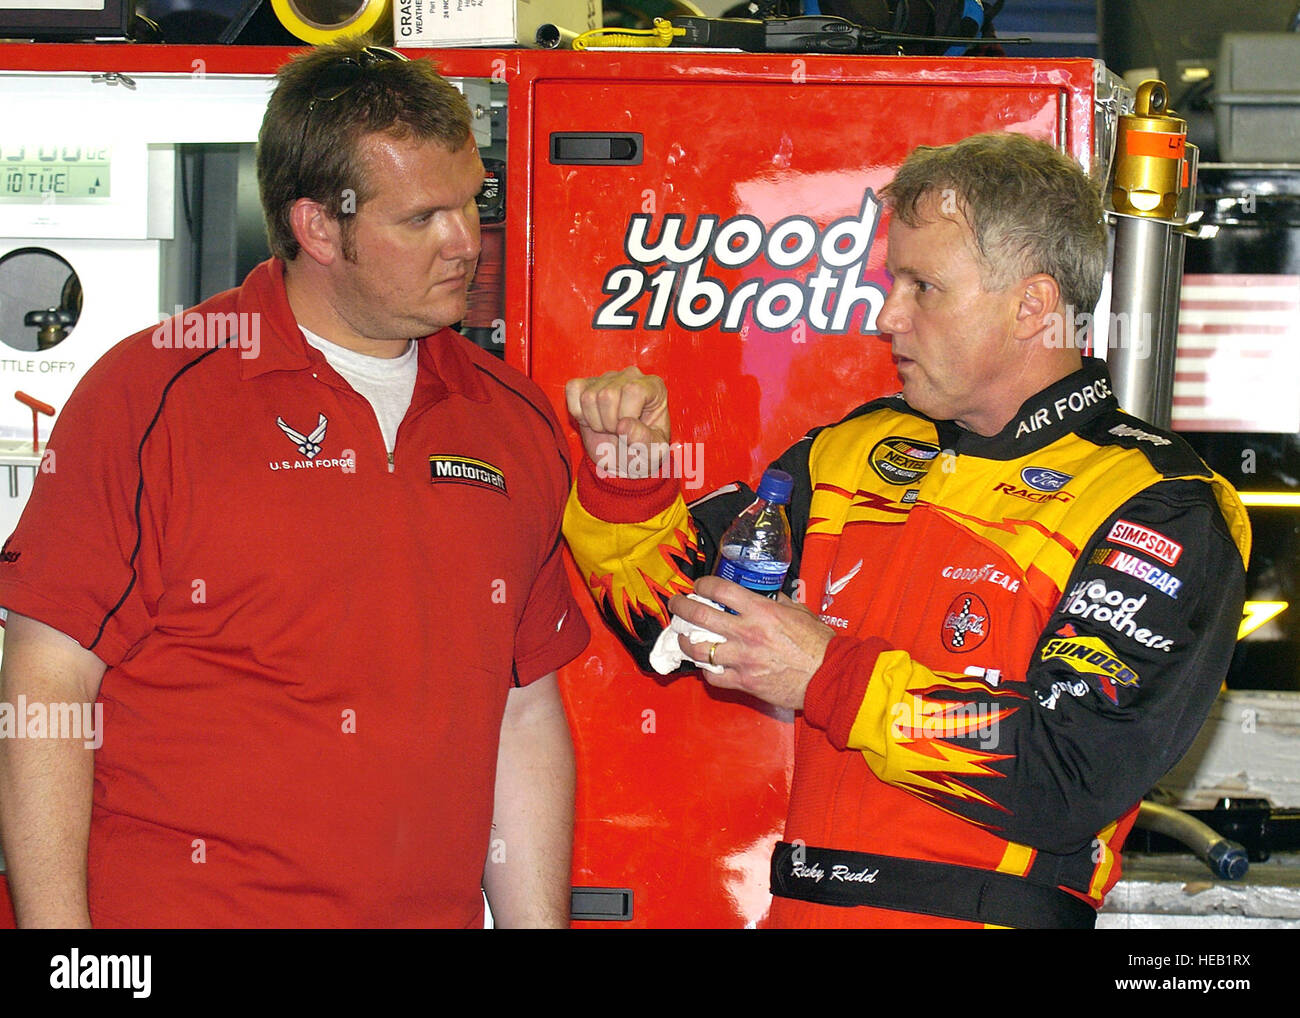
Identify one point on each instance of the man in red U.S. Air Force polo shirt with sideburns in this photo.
(307, 564)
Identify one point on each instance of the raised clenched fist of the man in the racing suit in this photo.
(618, 413)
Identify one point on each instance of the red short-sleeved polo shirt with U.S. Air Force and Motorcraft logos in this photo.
(309, 648)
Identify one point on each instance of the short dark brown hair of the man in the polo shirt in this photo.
(310, 148)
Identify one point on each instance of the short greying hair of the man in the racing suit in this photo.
(1030, 210)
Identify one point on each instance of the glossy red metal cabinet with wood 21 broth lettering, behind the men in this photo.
(683, 790)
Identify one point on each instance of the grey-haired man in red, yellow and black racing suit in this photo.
(1026, 599)
